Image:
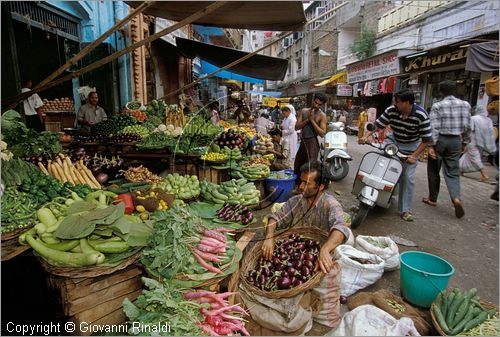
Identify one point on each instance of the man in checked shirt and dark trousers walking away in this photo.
(451, 127)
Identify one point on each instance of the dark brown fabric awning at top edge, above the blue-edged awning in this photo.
(253, 15)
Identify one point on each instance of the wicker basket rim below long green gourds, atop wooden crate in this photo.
(89, 271)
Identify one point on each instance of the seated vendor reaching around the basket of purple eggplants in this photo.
(312, 207)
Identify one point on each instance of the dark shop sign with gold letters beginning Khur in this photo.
(435, 60)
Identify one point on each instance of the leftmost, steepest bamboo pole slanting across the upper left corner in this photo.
(81, 54)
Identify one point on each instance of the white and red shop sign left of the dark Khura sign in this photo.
(384, 65)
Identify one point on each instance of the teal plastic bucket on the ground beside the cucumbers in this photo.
(423, 276)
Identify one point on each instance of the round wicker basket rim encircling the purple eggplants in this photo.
(250, 259)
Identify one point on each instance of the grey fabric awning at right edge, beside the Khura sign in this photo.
(482, 57)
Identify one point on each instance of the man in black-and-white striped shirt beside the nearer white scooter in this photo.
(411, 132)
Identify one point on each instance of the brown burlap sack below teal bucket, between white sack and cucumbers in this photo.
(380, 298)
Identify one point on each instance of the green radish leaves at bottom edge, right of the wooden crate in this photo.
(162, 303)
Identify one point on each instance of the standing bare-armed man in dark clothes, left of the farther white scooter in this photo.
(313, 123)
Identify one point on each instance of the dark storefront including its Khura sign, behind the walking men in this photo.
(428, 68)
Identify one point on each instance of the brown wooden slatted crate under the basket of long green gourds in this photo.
(97, 299)
